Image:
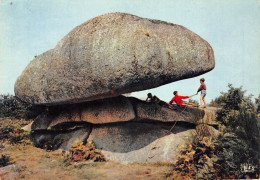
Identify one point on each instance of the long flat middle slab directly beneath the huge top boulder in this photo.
(116, 109)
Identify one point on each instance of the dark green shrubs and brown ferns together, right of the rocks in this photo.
(235, 153)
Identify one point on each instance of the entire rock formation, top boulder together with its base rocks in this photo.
(80, 81)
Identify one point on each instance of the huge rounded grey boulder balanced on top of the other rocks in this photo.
(114, 54)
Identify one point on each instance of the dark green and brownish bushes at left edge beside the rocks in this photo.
(15, 114)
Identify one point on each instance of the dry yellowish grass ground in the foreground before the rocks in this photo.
(39, 164)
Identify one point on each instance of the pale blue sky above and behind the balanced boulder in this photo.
(232, 27)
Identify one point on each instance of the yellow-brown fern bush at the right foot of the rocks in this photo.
(196, 161)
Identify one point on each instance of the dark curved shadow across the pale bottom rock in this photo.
(132, 136)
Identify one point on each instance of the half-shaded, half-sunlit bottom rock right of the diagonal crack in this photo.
(146, 142)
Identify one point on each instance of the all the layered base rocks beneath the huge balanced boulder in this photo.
(142, 135)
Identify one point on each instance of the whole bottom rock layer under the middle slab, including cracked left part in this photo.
(121, 142)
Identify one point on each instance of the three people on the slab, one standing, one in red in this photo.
(179, 99)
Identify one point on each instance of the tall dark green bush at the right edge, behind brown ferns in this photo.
(238, 146)
